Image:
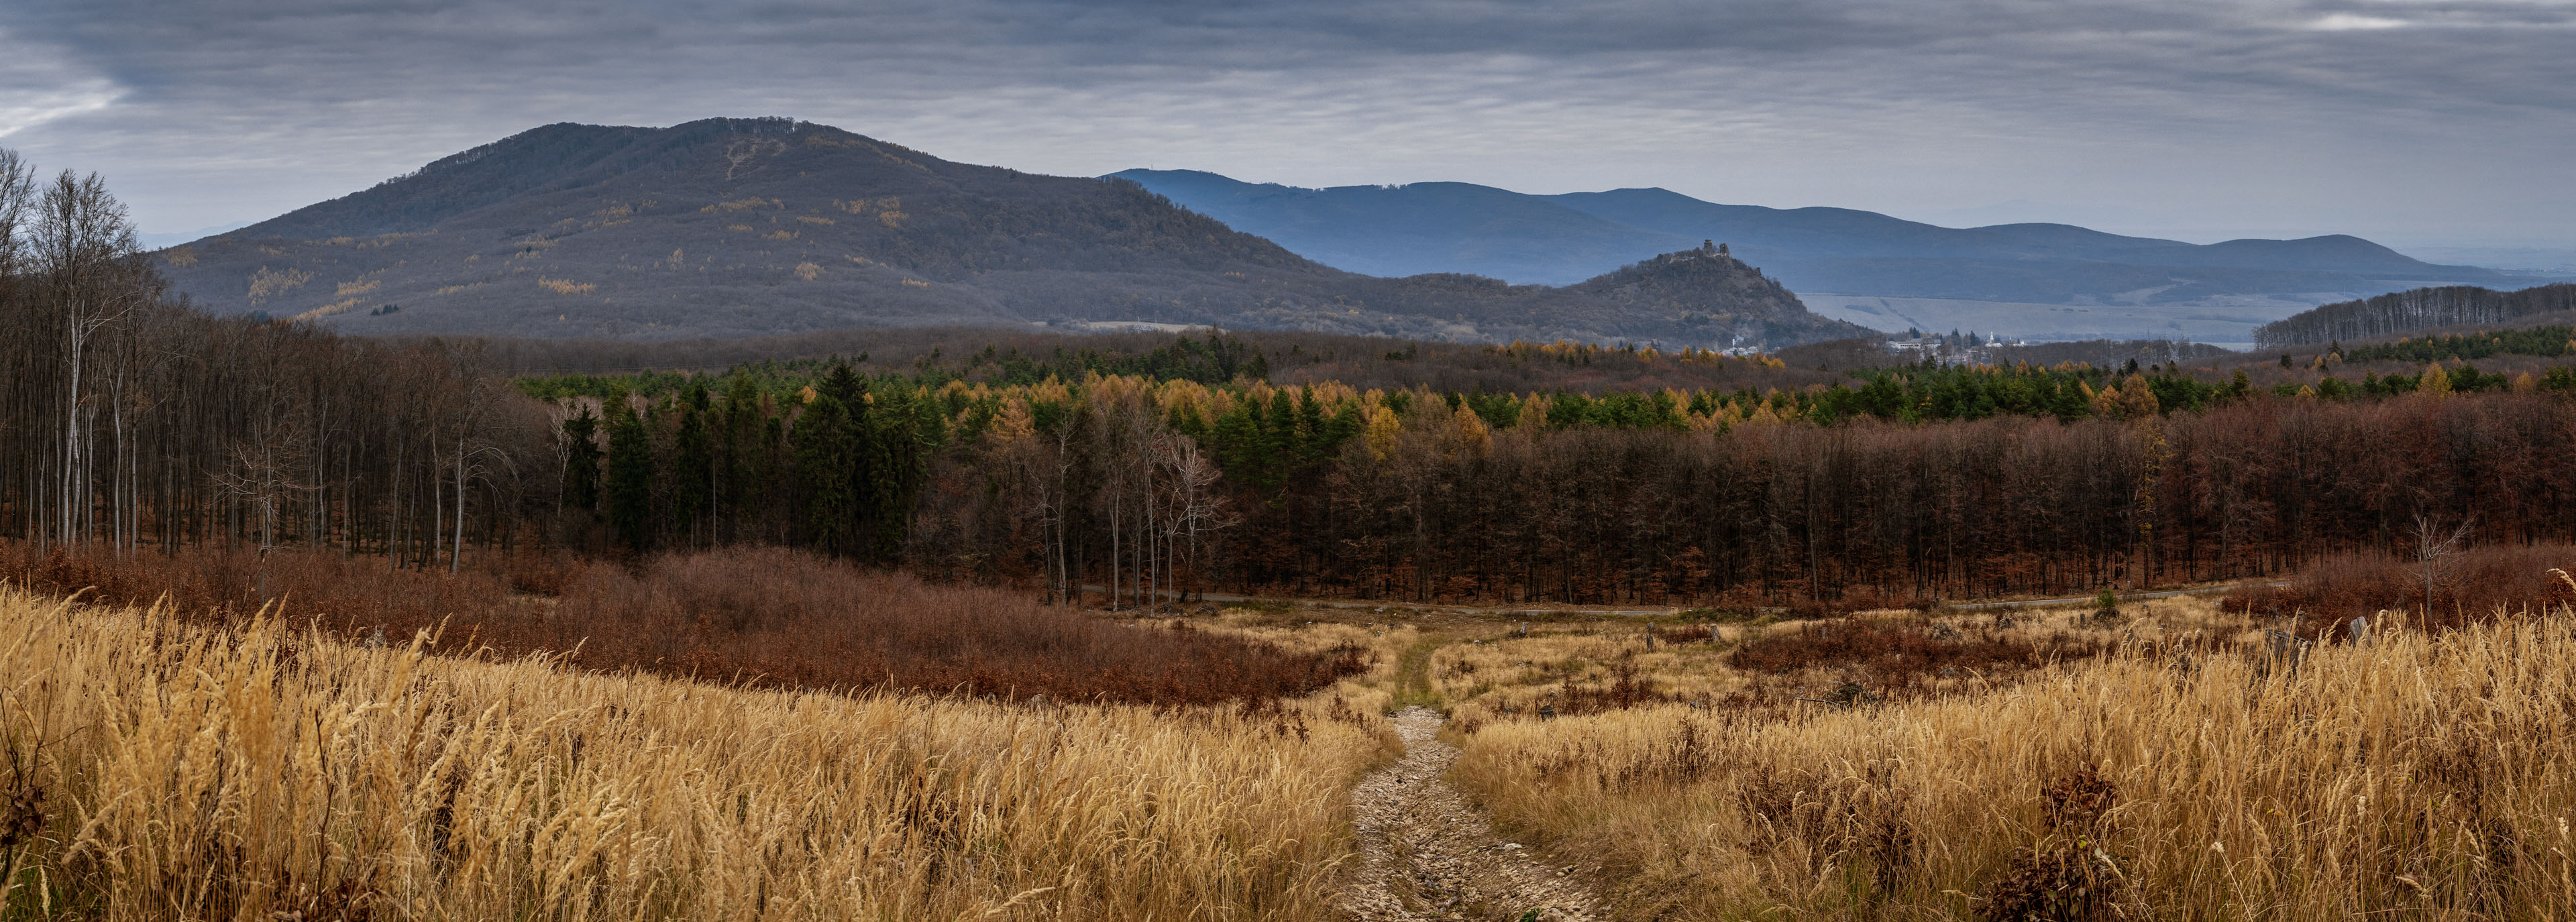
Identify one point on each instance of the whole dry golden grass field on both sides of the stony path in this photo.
(2173, 761)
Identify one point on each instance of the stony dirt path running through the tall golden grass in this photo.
(1431, 856)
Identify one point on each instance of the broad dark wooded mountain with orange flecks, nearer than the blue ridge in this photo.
(772, 225)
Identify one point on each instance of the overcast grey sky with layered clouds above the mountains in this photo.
(2405, 122)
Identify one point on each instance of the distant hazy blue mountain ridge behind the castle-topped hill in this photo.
(1565, 238)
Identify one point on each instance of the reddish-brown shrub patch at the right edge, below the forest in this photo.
(2467, 588)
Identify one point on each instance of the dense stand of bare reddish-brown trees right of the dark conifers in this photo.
(1959, 509)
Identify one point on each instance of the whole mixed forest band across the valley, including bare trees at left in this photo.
(148, 426)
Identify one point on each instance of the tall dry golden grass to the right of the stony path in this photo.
(2188, 776)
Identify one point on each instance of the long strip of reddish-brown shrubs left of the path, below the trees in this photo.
(761, 617)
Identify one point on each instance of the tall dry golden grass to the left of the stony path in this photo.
(282, 776)
